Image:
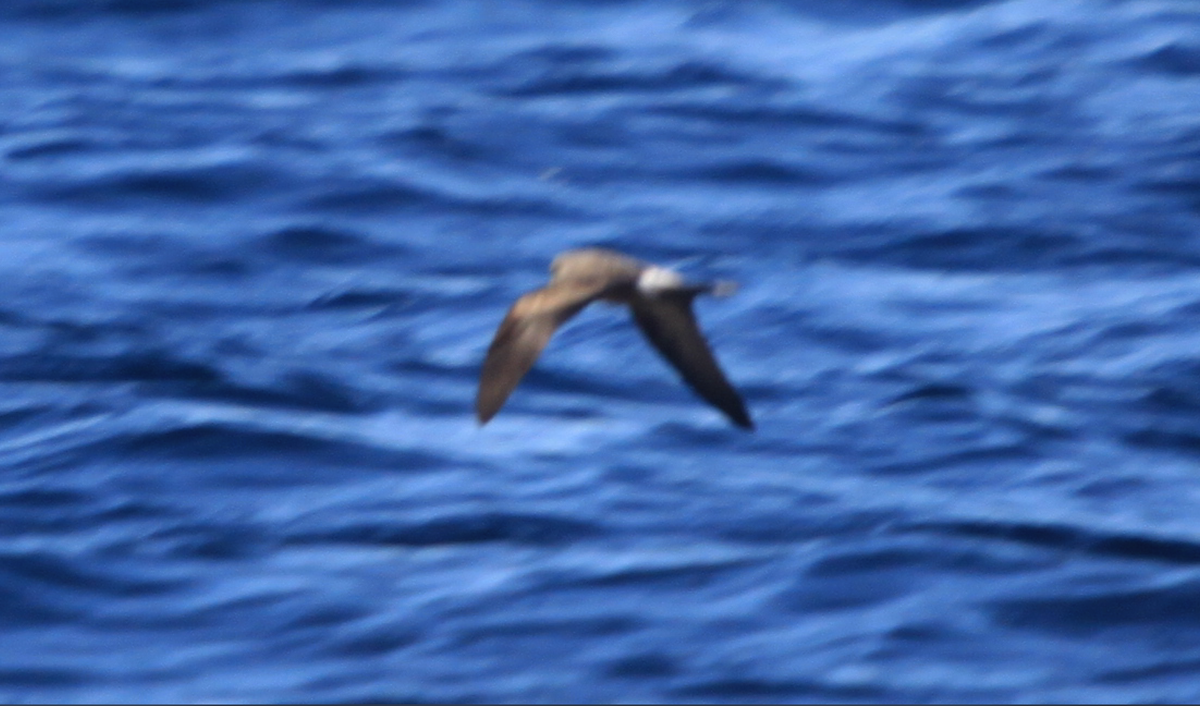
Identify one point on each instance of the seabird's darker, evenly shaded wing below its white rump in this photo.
(669, 322)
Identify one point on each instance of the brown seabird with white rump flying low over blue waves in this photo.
(662, 306)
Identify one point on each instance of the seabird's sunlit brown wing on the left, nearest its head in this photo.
(521, 338)
